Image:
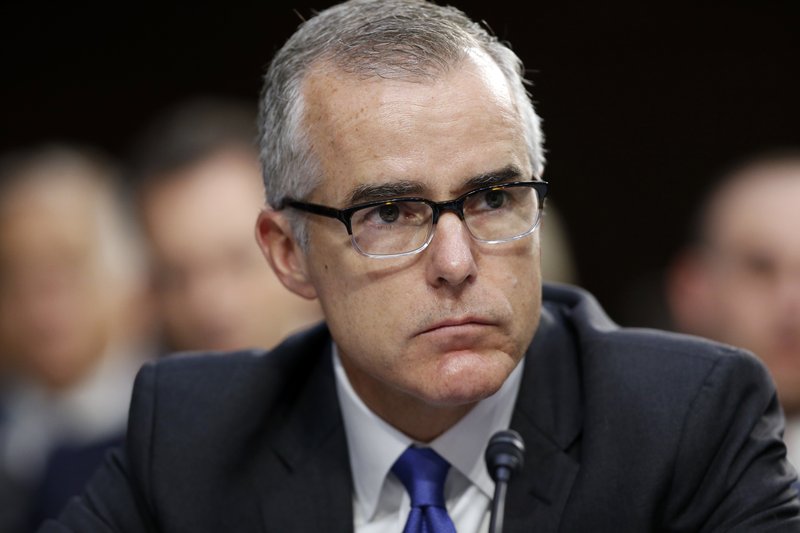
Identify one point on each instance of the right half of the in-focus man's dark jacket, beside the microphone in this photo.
(639, 430)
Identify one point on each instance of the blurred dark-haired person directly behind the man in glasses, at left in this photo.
(199, 192)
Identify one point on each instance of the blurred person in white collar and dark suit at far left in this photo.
(71, 325)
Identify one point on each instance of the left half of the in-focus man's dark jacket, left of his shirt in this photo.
(249, 441)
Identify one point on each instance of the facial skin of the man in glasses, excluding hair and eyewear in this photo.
(422, 338)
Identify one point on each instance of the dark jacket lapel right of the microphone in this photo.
(548, 417)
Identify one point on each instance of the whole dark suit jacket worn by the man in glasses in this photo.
(625, 430)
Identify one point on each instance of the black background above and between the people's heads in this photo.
(643, 103)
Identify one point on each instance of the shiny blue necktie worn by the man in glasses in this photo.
(423, 471)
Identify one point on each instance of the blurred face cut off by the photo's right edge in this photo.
(755, 274)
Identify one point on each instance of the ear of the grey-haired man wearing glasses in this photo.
(287, 259)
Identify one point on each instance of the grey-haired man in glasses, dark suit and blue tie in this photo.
(403, 164)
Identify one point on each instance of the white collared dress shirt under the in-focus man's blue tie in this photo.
(380, 502)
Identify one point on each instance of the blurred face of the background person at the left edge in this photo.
(59, 304)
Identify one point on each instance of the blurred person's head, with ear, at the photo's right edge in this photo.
(739, 280)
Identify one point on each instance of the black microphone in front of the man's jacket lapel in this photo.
(504, 457)
